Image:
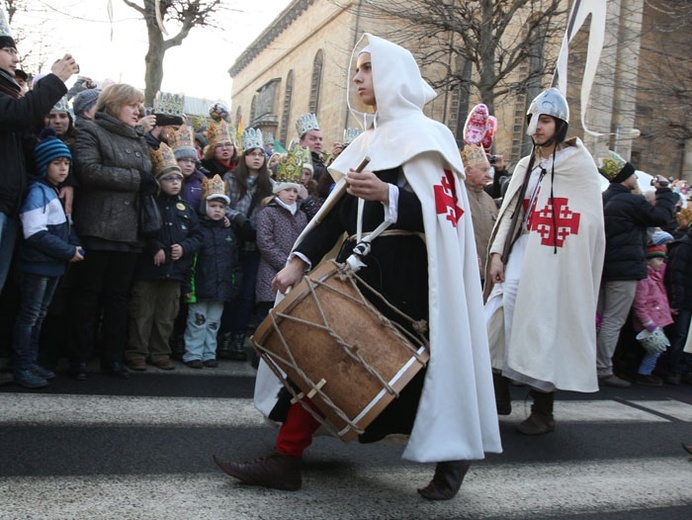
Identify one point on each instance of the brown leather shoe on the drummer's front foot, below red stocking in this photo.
(276, 471)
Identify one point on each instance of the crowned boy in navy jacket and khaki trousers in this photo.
(163, 270)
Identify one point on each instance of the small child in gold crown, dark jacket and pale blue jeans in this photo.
(215, 280)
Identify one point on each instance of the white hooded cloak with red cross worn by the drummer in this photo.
(456, 417)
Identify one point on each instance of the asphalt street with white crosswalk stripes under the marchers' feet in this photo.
(142, 449)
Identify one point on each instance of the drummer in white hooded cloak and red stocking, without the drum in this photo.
(418, 186)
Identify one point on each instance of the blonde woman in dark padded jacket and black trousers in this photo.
(114, 169)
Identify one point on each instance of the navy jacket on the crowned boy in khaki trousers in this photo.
(180, 226)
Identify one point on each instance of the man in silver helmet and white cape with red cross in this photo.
(544, 267)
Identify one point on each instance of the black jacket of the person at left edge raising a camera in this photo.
(17, 118)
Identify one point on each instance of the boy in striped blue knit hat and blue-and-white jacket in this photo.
(47, 247)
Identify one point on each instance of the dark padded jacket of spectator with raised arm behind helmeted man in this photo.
(627, 216)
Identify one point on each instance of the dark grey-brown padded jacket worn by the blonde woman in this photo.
(109, 156)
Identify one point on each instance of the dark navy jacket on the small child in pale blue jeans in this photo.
(216, 274)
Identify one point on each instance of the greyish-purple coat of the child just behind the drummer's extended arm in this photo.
(277, 231)
